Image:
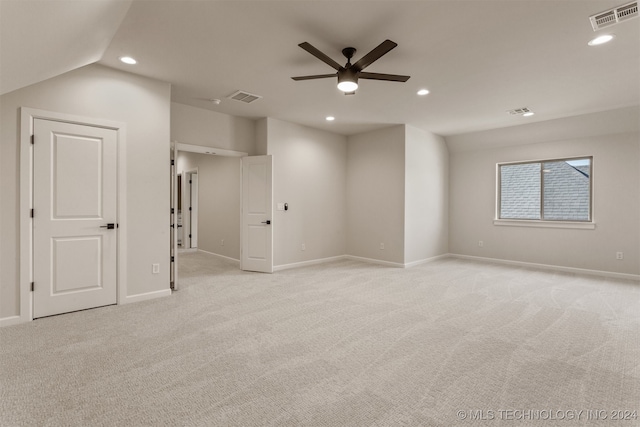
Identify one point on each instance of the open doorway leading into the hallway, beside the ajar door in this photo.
(206, 197)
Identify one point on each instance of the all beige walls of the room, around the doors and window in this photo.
(346, 195)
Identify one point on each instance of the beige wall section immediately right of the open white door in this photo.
(309, 173)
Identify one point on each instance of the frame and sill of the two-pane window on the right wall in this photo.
(541, 222)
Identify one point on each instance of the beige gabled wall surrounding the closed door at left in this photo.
(103, 93)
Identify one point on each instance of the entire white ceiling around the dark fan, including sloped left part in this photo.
(478, 58)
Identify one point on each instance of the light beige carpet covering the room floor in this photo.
(339, 344)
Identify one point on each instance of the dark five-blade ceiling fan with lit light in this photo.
(349, 74)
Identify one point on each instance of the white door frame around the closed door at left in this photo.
(27, 117)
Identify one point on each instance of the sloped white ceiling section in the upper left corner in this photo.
(43, 39)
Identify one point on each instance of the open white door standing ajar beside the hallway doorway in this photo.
(257, 207)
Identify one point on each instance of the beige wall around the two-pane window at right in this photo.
(616, 198)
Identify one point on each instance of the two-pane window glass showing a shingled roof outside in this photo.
(550, 190)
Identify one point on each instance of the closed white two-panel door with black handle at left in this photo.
(75, 194)
